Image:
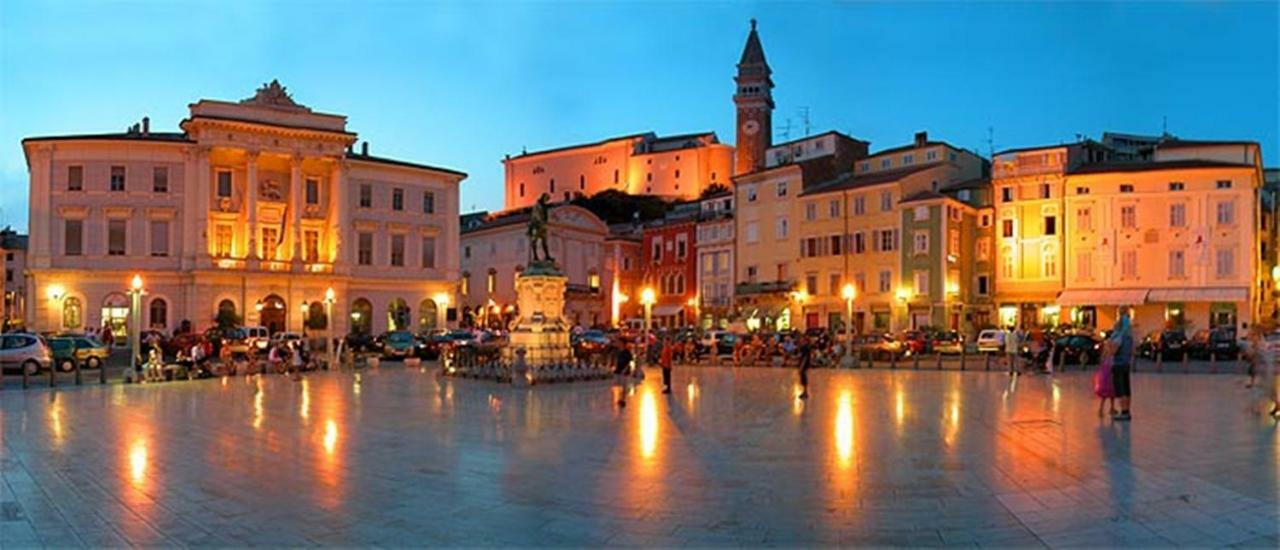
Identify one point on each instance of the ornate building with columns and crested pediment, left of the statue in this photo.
(255, 209)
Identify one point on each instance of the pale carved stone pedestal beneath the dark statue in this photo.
(541, 329)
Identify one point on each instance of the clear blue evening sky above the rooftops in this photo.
(461, 85)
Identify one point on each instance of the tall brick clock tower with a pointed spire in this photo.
(755, 103)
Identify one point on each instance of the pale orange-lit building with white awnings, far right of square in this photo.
(1183, 240)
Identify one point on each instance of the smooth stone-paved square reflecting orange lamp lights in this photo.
(401, 457)
